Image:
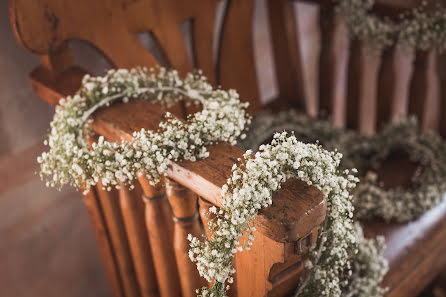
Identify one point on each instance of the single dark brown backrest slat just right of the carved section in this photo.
(287, 53)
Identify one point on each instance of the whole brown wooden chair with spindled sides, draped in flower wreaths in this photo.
(142, 241)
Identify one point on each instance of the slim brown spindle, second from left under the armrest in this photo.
(109, 202)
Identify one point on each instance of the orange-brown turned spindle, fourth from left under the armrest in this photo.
(159, 227)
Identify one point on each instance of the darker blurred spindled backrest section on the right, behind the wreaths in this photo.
(359, 87)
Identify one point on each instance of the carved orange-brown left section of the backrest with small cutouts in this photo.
(111, 26)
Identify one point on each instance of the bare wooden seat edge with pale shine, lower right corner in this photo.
(416, 251)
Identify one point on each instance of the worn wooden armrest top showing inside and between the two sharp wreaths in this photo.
(304, 207)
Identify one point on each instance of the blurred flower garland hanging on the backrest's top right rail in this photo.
(418, 29)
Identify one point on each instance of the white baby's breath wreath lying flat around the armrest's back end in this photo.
(70, 161)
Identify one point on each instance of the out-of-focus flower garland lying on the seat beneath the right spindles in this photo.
(366, 154)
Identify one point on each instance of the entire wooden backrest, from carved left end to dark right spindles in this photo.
(356, 88)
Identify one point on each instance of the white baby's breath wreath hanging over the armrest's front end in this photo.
(250, 189)
